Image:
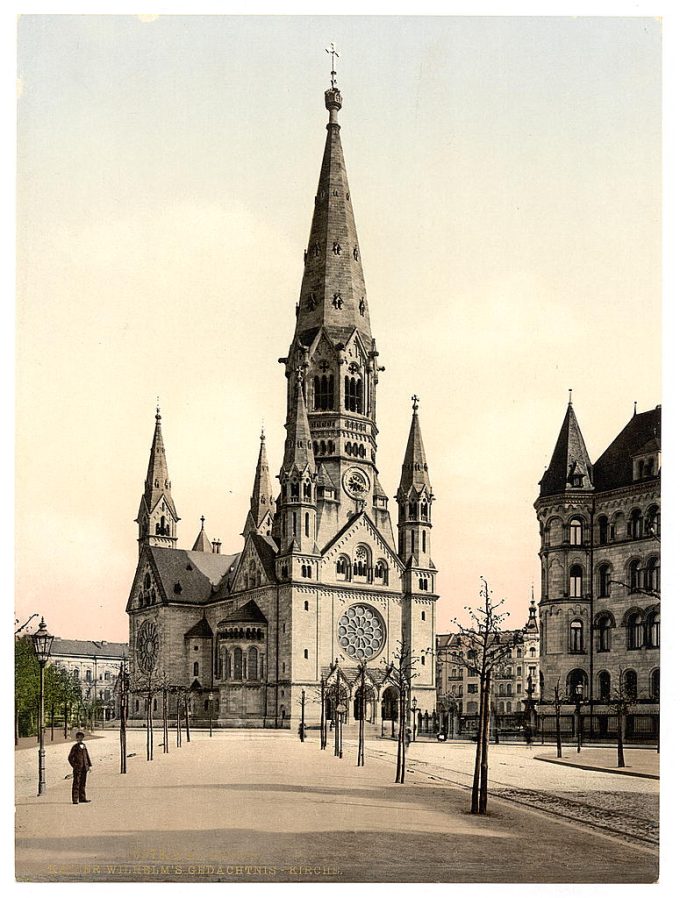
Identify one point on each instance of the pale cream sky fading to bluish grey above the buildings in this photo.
(506, 184)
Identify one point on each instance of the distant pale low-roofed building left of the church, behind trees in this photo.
(95, 666)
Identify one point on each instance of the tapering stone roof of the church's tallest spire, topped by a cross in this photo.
(333, 292)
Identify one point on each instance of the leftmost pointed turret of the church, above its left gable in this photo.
(157, 516)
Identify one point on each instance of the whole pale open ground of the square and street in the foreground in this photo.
(260, 806)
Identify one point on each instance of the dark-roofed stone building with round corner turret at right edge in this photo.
(600, 530)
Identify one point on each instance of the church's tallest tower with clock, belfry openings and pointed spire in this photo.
(334, 354)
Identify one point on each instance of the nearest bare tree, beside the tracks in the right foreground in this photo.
(482, 646)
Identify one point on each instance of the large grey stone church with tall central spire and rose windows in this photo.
(319, 586)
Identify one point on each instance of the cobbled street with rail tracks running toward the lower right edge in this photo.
(625, 807)
